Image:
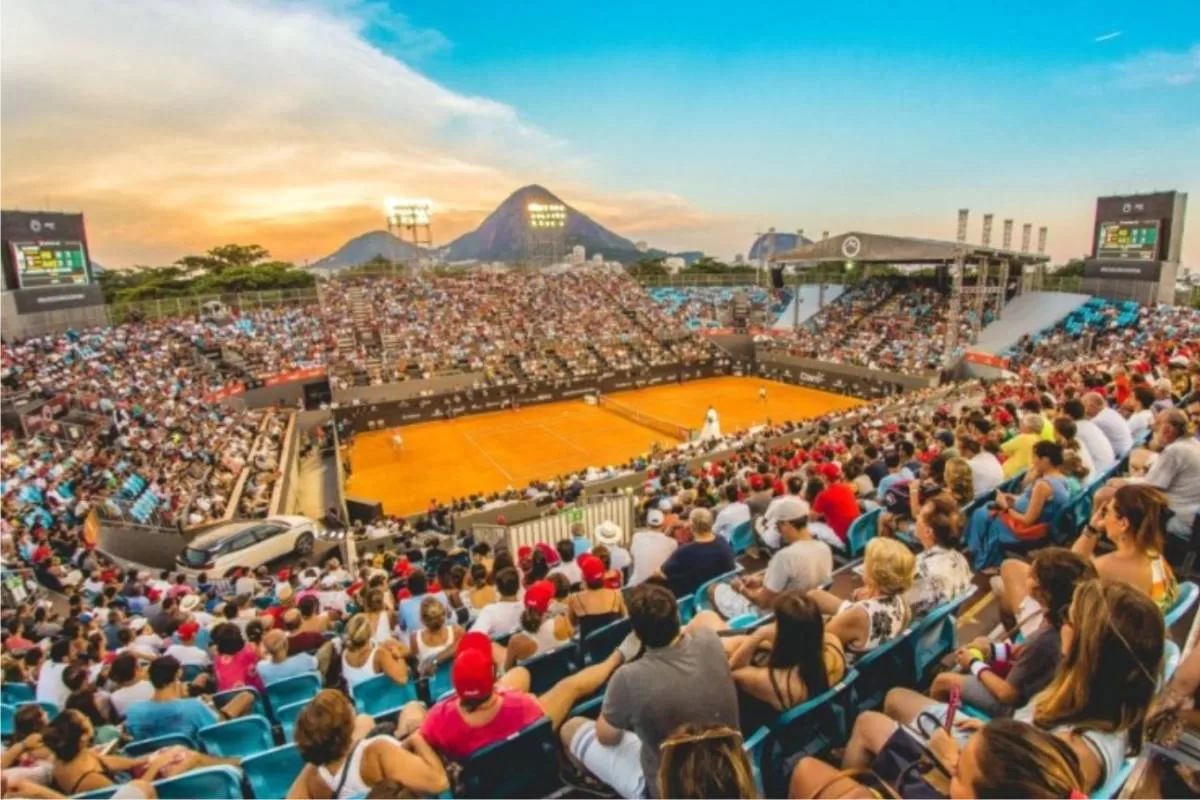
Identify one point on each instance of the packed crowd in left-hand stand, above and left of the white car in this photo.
(141, 440)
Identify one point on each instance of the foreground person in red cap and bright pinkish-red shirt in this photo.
(485, 711)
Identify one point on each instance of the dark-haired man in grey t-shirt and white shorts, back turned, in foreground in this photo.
(682, 678)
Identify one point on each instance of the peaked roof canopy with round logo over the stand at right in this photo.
(880, 249)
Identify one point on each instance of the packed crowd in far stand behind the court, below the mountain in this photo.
(511, 327)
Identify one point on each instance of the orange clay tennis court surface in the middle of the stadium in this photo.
(489, 453)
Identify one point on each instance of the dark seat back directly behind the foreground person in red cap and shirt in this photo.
(523, 766)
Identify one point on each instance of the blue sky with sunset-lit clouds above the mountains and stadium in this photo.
(178, 125)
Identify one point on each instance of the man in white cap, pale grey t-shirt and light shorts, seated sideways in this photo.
(803, 564)
